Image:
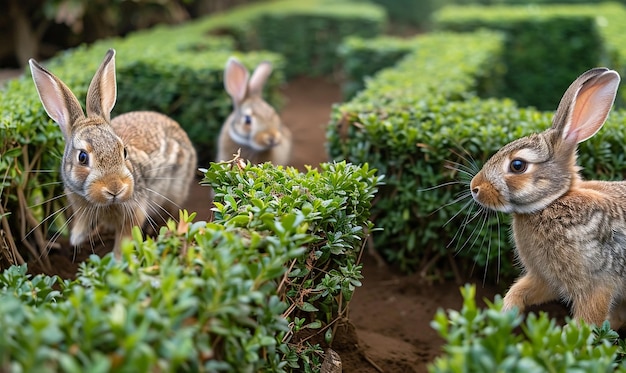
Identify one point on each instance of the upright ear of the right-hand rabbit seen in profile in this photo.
(586, 105)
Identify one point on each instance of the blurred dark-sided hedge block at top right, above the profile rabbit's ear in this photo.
(545, 46)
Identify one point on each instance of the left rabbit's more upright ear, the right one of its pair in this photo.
(103, 88)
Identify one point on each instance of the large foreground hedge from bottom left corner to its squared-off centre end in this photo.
(233, 295)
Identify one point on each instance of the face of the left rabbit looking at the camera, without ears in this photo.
(96, 166)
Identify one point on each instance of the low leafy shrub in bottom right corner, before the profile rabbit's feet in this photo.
(489, 340)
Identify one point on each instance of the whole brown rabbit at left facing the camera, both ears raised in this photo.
(116, 173)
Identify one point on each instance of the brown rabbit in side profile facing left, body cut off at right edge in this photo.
(569, 233)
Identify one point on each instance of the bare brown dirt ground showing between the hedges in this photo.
(388, 329)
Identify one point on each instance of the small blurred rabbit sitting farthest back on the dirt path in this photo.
(253, 130)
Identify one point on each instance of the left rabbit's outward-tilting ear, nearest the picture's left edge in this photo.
(57, 99)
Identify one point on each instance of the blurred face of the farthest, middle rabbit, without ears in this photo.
(257, 126)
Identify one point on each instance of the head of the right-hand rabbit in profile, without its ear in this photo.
(524, 176)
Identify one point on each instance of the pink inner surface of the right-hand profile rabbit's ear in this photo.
(592, 106)
